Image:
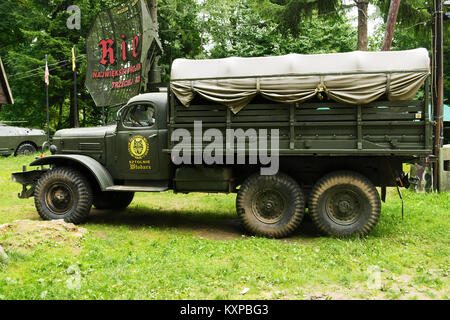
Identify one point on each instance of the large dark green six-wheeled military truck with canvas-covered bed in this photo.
(337, 126)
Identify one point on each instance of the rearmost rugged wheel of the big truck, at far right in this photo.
(344, 203)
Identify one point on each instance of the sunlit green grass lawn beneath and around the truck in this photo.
(167, 246)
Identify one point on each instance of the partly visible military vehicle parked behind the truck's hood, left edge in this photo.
(20, 141)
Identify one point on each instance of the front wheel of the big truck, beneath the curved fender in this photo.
(59, 186)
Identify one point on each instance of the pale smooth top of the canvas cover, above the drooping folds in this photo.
(355, 62)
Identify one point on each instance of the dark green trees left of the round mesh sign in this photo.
(40, 29)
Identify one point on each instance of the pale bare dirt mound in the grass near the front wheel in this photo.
(26, 234)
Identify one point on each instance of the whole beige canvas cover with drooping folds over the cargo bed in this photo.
(355, 77)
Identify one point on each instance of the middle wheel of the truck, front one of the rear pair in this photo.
(270, 206)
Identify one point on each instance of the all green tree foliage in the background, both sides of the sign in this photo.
(30, 29)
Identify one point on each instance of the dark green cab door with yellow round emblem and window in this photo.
(137, 143)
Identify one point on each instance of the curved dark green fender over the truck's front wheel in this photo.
(101, 174)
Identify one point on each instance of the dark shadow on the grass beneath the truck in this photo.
(208, 225)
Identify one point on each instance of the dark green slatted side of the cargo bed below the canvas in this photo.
(380, 128)
